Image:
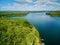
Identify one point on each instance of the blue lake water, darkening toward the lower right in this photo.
(48, 27)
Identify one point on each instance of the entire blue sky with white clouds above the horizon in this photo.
(29, 5)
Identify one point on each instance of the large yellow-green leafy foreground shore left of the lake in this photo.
(17, 31)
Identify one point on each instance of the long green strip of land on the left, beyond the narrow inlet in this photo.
(12, 13)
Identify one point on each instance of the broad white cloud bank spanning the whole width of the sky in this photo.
(39, 5)
